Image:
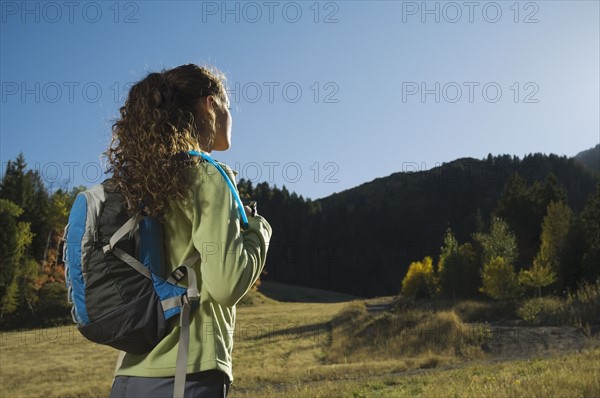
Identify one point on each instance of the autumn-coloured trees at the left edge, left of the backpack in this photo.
(32, 286)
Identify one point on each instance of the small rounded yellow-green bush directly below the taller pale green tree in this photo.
(500, 280)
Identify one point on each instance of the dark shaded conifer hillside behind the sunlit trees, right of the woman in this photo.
(362, 241)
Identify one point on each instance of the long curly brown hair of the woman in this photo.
(158, 124)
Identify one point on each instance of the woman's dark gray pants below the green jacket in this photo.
(210, 383)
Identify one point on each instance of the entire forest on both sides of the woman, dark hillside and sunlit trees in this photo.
(537, 216)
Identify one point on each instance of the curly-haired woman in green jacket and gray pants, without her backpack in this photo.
(165, 116)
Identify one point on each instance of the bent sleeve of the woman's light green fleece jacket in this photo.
(231, 260)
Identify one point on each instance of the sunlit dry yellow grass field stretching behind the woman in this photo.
(294, 349)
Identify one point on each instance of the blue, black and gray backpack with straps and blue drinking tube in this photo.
(113, 271)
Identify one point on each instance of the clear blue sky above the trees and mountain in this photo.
(326, 95)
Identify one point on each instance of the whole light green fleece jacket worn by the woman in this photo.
(231, 261)
